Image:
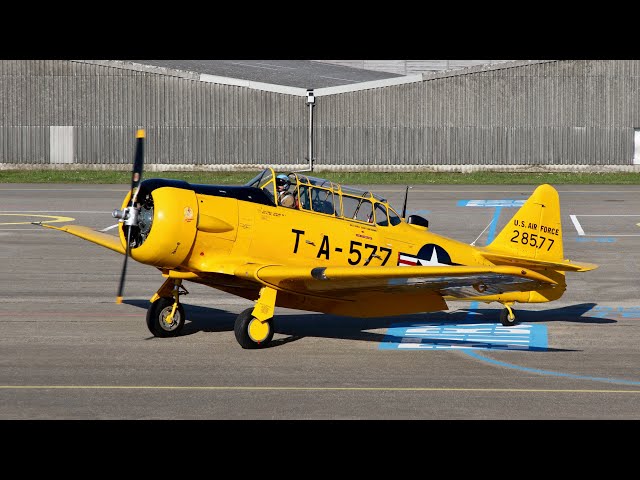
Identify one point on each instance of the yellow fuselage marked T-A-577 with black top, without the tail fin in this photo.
(210, 230)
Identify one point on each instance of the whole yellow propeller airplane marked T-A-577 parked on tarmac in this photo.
(336, 250)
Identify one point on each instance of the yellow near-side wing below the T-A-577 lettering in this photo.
(456, 281)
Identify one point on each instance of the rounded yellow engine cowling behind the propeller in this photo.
(166, 226)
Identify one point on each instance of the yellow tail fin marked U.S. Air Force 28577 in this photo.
(535, 231)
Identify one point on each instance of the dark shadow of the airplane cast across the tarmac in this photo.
(295, 327)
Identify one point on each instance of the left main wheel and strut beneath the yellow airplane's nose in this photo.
(165, 317)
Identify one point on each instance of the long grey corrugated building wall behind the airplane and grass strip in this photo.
(560, 115)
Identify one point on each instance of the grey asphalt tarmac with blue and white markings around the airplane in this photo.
(69, 352)
